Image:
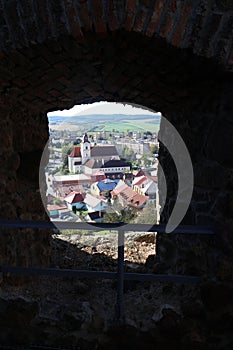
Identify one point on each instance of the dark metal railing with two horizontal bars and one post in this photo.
(120, 275)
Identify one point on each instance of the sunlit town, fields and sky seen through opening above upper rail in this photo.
(103, 164)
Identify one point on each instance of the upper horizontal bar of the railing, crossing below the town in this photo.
(64, 225)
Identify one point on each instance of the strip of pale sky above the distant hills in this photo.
(101, 108)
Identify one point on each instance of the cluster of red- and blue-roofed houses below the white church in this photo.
(102, 194)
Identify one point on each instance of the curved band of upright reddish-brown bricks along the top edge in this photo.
(202, 26)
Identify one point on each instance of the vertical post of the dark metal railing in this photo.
(120, 278)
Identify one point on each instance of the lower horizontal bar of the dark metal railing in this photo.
(99, 274)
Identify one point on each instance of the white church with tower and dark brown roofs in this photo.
(89, 159)
